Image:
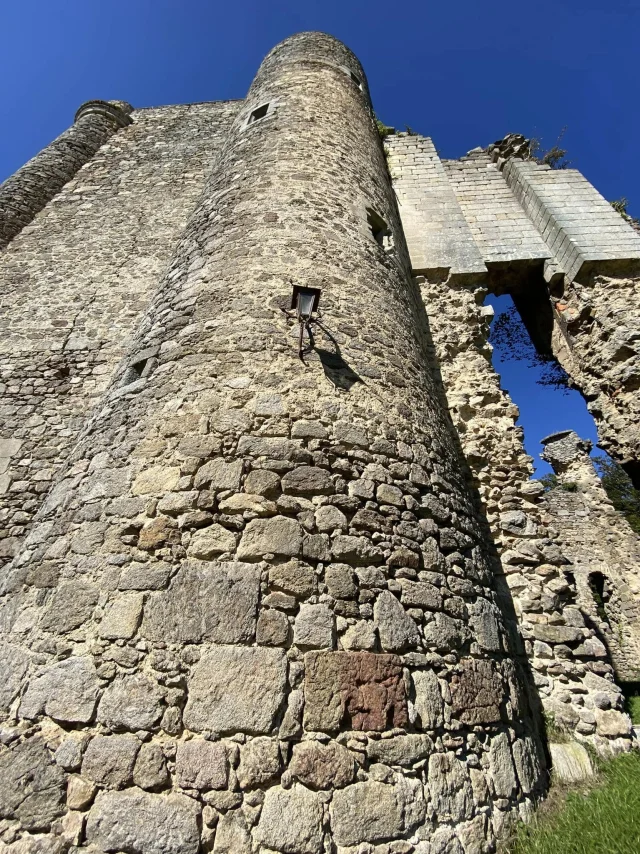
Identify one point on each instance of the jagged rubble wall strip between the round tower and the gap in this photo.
(569, 662)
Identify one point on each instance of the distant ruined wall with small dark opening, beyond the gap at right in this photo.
(599, 542)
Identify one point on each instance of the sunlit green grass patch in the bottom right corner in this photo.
(600, 816)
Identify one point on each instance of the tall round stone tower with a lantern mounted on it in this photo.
(256, 613)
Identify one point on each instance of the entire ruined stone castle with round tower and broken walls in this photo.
(277, 579)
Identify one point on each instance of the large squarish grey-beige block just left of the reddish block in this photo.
(236, 689)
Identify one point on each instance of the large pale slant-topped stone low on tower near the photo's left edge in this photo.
(67, 692)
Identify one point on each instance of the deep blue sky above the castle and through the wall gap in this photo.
(464, 73)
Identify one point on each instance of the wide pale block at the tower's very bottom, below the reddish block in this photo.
(373, 811)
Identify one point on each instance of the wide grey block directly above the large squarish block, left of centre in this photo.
(205, 601)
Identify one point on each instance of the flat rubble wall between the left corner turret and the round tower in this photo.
(74, 282)
